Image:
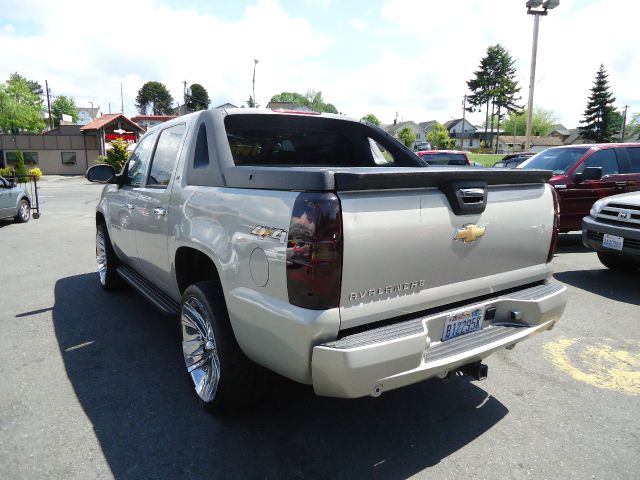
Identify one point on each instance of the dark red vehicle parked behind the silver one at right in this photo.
(583, 174)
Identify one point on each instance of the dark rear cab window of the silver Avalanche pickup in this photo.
(288, 140)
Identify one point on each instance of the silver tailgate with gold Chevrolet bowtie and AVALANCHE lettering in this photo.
(401, 254)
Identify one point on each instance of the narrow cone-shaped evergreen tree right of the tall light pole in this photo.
(599, 123)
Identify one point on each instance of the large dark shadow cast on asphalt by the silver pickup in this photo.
(126, 369)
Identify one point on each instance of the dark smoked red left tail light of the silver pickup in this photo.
(314, 251)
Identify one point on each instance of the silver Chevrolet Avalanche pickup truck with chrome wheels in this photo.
(322, 249)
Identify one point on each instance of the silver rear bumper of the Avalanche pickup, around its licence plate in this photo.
(385, 358)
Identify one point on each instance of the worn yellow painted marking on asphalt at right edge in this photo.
(598, 364)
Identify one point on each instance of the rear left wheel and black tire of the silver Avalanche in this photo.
(221, 375)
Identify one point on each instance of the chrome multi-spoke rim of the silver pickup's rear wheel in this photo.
(199, 349)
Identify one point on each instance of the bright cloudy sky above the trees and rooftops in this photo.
(410, 58)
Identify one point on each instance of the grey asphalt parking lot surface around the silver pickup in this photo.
(92, 385)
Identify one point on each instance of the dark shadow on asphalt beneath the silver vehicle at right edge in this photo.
(618, 286)
